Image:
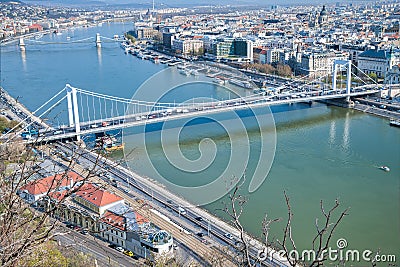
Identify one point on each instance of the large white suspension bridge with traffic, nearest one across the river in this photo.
(90, 112)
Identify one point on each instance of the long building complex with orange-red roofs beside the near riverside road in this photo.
(93, 208)
